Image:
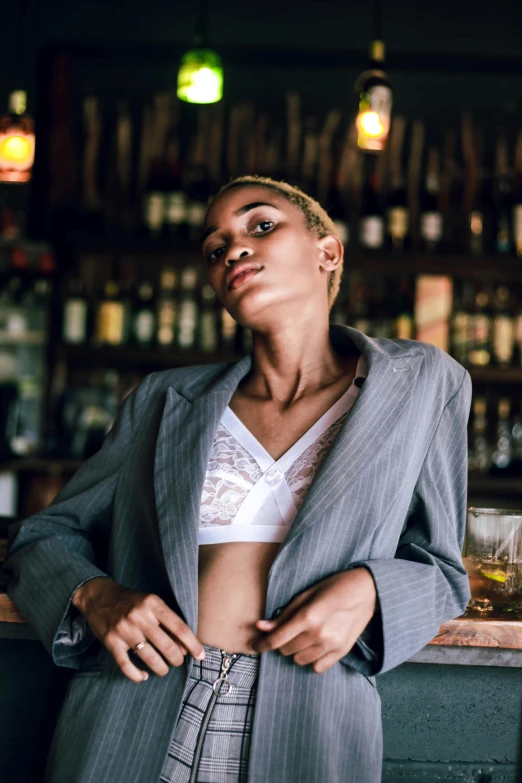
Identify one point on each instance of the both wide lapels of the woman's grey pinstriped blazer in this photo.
(188, 425)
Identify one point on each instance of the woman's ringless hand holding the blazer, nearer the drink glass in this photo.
(321, 624)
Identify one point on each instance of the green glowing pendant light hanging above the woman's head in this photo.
(200, 75)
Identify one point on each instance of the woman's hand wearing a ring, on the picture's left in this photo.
(121, 618)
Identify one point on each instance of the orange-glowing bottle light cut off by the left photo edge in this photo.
(17, 140)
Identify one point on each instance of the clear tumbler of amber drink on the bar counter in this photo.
(493, 560)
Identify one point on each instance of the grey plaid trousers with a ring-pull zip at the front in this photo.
(211, 740)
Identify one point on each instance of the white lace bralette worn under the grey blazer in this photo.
(249, 496)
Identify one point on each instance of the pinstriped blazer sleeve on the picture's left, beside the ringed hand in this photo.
(52, 553)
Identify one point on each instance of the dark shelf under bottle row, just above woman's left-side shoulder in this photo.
(140, 357)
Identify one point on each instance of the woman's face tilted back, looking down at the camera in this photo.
(255, 227)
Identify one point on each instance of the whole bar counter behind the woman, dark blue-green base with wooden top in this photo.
(451, 713)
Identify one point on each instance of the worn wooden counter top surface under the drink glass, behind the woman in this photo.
(462, 632)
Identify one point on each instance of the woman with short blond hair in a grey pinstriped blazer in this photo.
(254, 542)
